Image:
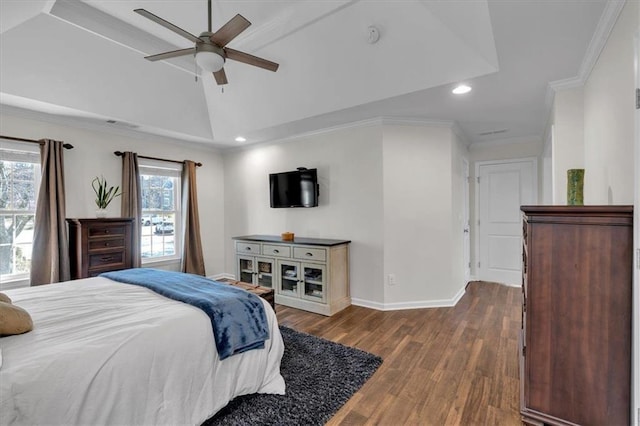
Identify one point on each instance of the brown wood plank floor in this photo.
(442, 366)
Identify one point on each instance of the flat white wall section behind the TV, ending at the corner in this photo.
(349, 164)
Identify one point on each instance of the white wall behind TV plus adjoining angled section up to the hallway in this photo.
(387, 188)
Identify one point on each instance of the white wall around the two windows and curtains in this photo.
(92, 156)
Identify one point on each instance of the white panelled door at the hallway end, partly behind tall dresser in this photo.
(502, 188)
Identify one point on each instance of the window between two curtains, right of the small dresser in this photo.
(161, 225)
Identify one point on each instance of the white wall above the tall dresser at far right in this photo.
(609, 105)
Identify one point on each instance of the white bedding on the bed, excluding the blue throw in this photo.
(103, 352)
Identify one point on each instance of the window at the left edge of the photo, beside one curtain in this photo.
(19, 181)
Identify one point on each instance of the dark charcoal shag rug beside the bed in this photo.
(320, 376)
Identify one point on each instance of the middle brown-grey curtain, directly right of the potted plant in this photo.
(132, 200)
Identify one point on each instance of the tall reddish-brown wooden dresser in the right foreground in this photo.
(575, 349)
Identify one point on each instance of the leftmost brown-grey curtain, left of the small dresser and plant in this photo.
(50, 256)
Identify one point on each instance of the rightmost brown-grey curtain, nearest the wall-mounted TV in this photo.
(192, 258)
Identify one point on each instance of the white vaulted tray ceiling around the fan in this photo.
(84, 60)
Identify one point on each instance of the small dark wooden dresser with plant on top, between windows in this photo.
(99, 245)
